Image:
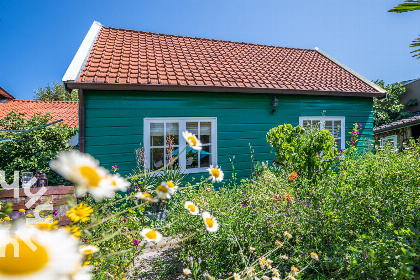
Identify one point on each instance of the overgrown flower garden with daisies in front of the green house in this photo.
(315, 212)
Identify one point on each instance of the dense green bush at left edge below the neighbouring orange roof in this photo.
(35, 154)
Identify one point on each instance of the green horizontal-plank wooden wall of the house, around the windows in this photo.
(114, 121)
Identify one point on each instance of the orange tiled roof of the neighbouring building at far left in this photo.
(66, 110)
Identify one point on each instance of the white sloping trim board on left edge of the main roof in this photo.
(79, 60)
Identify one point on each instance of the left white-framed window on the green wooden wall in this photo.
(163, 140)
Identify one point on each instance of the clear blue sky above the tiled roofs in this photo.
(38, 39)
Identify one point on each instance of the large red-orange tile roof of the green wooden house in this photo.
(121, 56)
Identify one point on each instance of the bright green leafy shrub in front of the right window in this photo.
(306, 151)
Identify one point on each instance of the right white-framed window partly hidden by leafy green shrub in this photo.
(335, 125)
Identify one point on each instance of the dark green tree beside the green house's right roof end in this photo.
(389, 108)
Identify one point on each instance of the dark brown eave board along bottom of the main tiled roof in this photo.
(198, 88)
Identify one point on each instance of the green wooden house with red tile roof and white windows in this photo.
(138, 88)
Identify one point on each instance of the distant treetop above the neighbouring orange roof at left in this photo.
(55, 92)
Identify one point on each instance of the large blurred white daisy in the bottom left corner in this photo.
(42, 255)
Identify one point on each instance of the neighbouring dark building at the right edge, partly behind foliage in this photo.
(399, 132)
